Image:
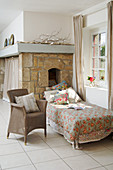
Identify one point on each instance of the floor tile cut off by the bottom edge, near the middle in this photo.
(52, 165)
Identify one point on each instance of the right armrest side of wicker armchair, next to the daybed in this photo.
(42, 105)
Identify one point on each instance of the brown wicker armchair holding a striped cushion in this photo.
(22, 122)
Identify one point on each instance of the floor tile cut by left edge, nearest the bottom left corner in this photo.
(14, 160)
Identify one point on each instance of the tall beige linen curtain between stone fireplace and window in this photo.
(79, 60)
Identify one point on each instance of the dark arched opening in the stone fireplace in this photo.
(54, 76)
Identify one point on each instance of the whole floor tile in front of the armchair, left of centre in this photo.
(42, 155)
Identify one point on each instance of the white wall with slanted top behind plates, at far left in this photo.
(16, 28)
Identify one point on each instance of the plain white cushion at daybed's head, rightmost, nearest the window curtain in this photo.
(73, 96)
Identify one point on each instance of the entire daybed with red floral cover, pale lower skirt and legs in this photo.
(79, 126)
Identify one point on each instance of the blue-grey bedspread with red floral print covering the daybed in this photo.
(80, 122)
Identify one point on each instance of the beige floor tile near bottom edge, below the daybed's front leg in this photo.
(81, 162)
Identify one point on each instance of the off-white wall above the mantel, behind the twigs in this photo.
(36, 23)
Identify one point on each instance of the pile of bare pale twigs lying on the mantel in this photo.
(52, 38)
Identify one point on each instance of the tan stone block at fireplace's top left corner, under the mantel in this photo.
(27, 60)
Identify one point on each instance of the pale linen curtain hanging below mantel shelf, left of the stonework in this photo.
(11, 76)
